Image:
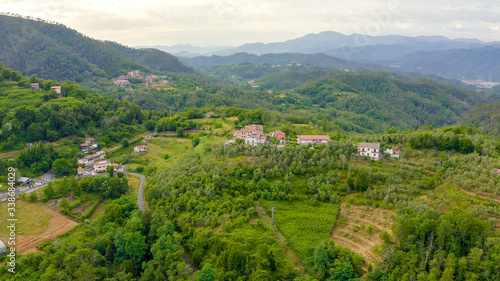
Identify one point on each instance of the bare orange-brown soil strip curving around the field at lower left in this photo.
(57, 225)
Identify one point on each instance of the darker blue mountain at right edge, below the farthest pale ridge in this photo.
(478, 63)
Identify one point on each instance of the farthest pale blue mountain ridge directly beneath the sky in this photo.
(337, 44)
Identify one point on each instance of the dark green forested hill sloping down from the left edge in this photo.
(53, 51)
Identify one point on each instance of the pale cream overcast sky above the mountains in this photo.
(235, 22)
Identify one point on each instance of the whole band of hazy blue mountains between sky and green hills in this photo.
(451, 58)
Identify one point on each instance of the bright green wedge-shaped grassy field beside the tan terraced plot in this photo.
(303, 224)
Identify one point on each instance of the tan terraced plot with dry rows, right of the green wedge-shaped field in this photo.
(358, 229)
